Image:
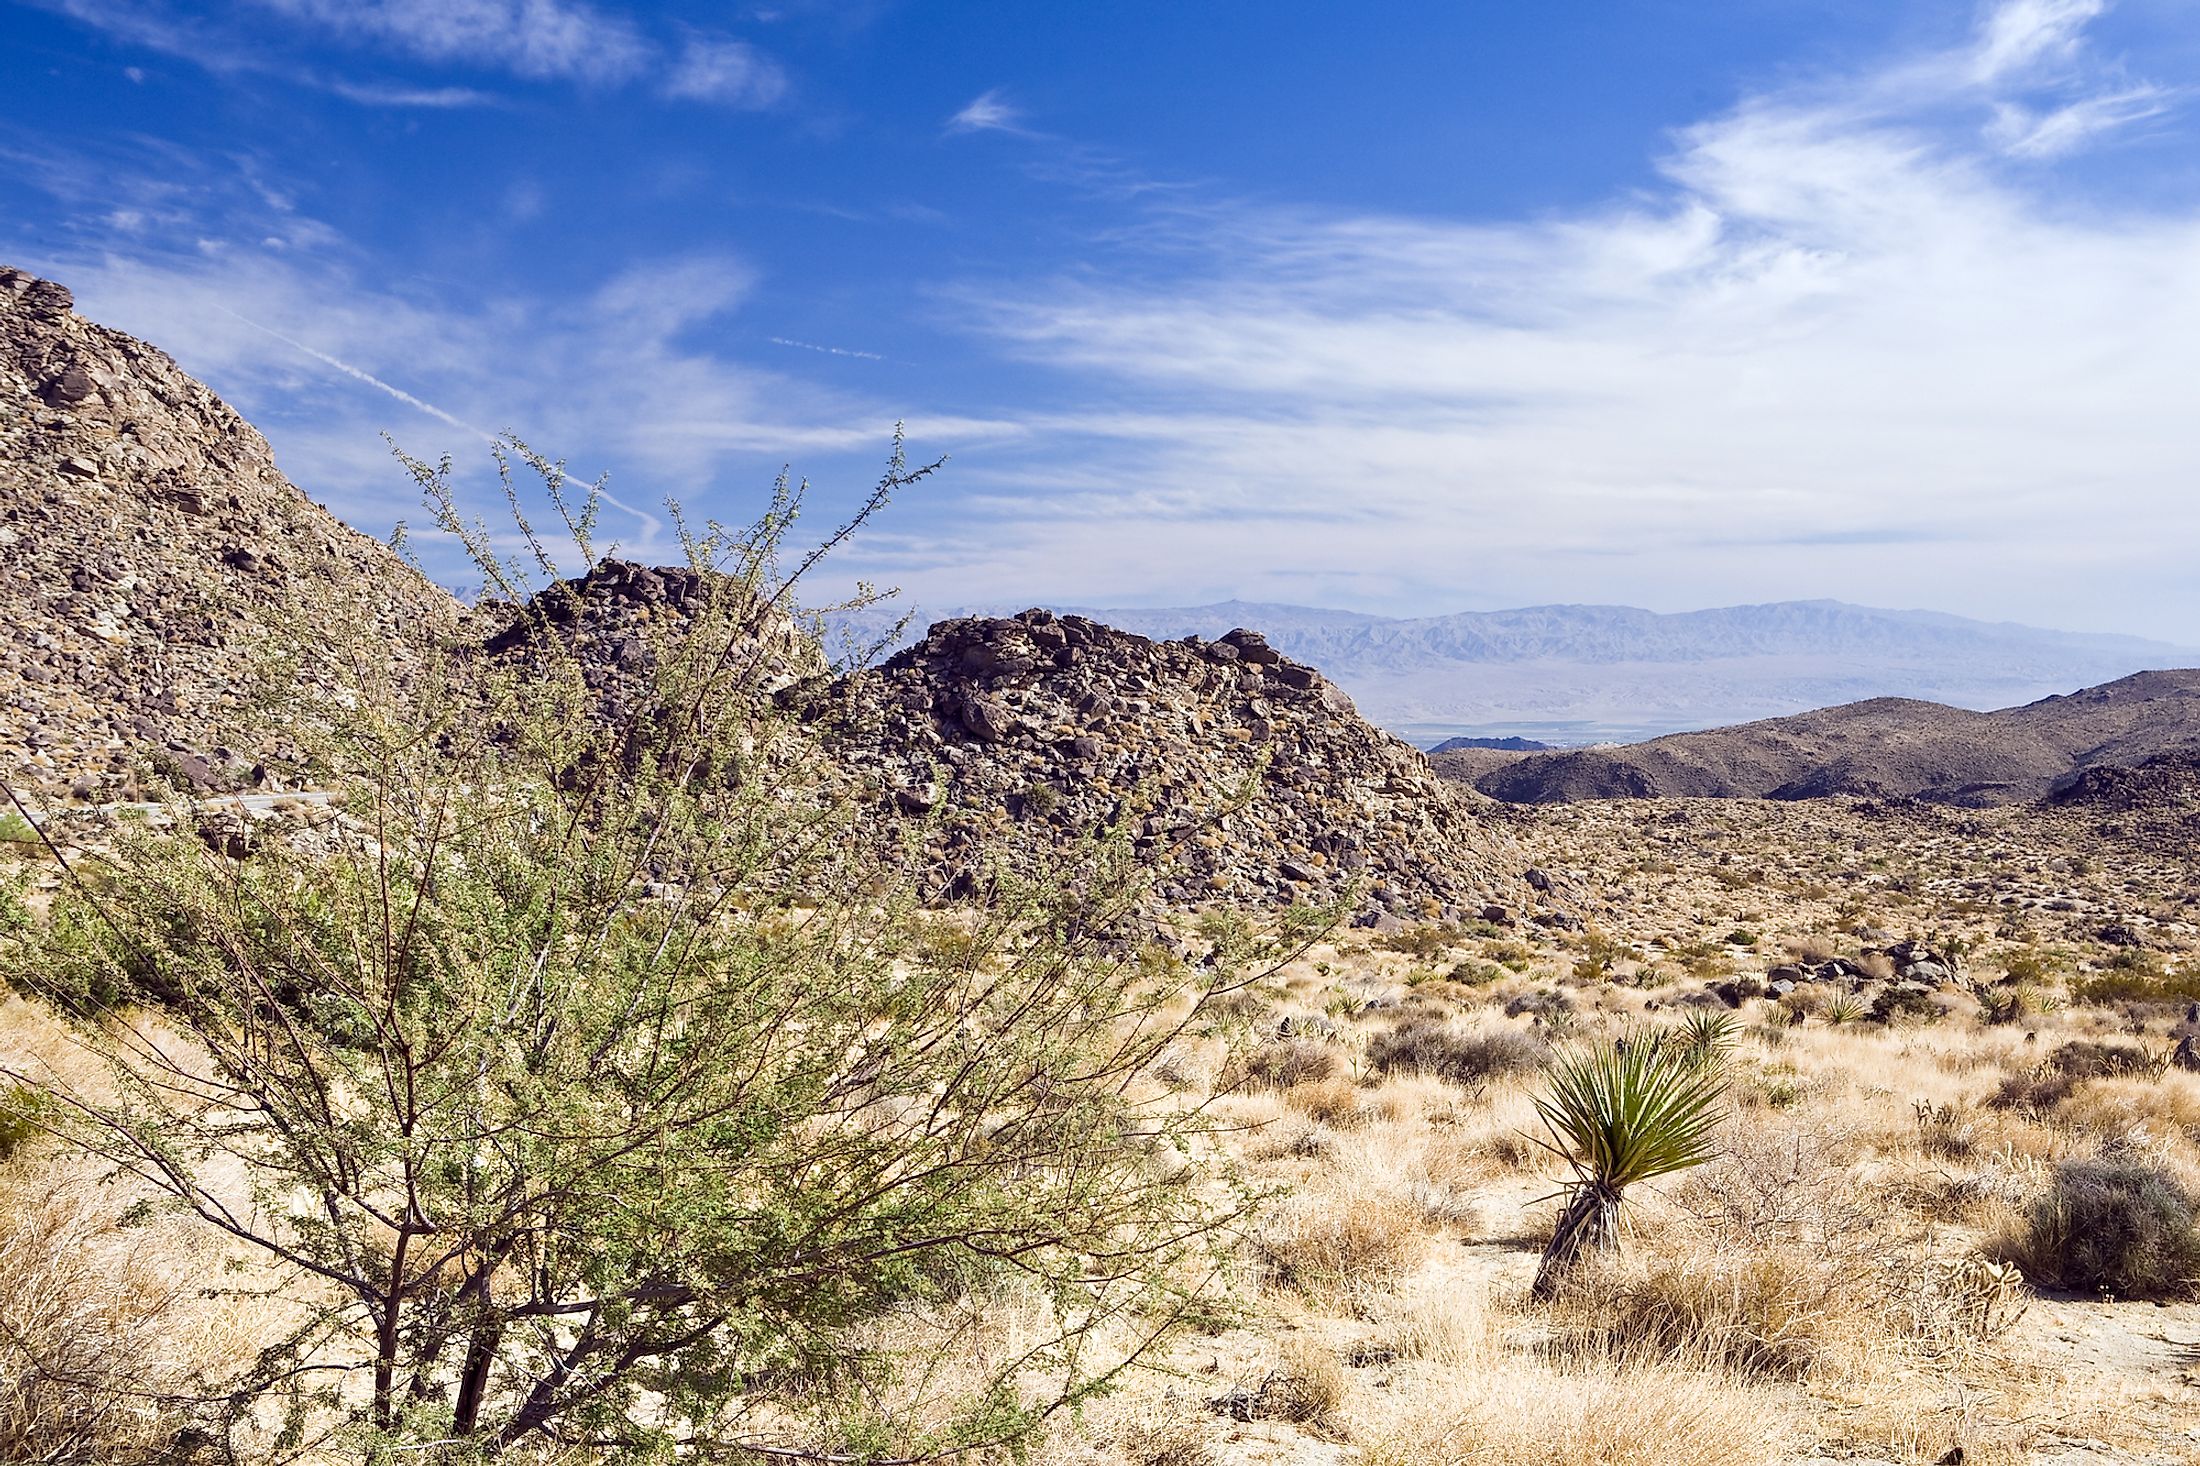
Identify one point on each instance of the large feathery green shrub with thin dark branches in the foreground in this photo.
(599, 1077)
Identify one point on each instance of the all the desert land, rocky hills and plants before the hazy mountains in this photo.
(1928, 976)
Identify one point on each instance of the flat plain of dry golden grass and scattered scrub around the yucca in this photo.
(1959, 1232)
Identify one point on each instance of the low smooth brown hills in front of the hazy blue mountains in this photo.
(1886, 747)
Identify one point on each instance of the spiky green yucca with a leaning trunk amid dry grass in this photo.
(1622, 1115)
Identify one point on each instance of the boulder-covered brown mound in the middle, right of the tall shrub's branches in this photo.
(1242, 774)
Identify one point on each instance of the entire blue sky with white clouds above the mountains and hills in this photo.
(1400, 307)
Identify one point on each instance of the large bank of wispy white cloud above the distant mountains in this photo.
(1845, 349)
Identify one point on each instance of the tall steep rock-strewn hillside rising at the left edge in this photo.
(148, 551)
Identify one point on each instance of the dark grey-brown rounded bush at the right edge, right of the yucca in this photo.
(2111, 1225)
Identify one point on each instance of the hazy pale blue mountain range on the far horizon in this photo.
(1583, 675)
